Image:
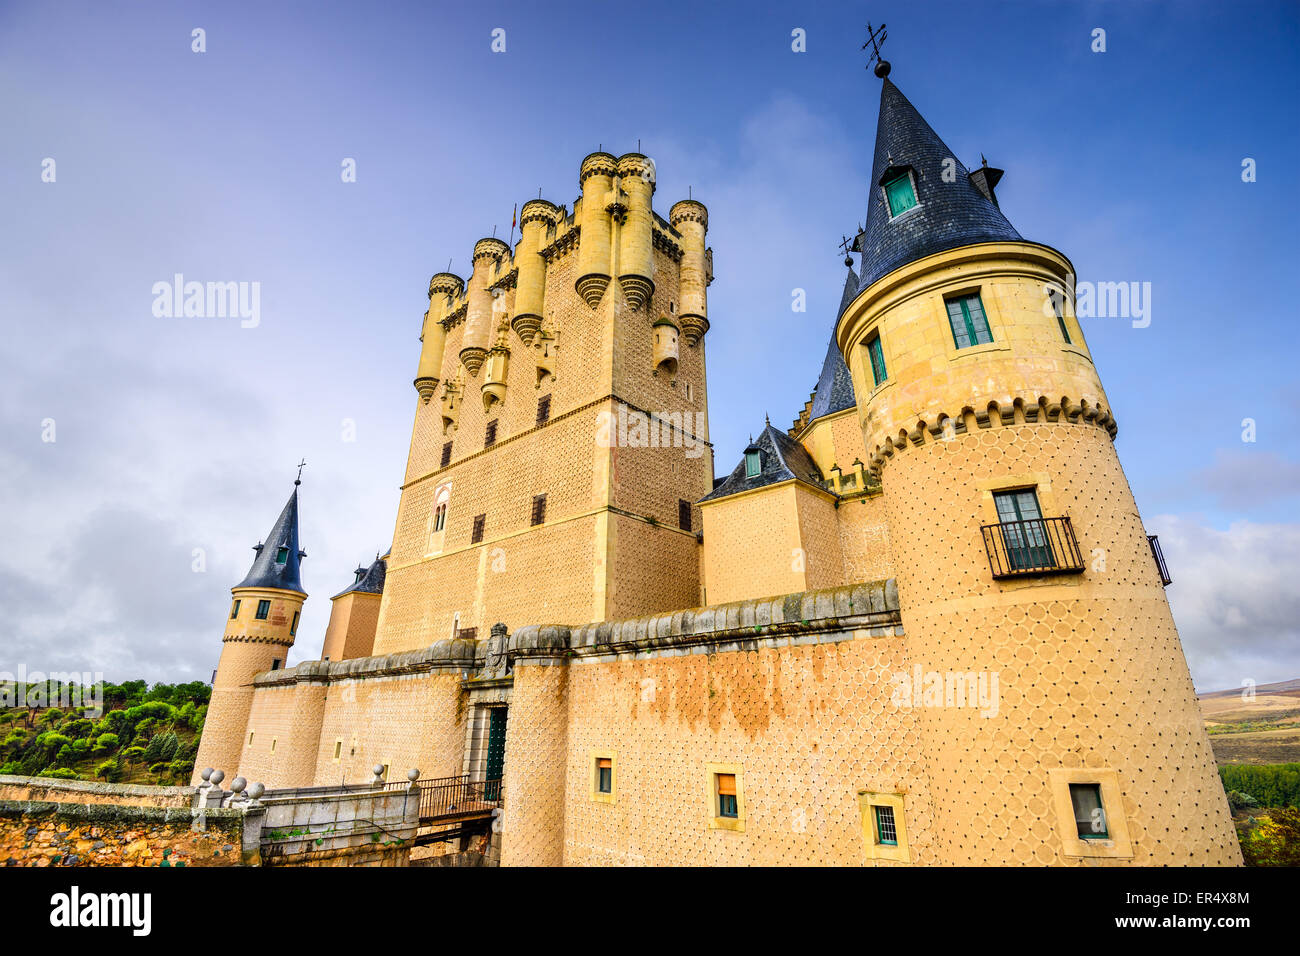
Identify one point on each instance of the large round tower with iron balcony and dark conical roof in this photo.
(1017, 542)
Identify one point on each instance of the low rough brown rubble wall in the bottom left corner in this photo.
(36, 833)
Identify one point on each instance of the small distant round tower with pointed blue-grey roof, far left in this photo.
(262, 628)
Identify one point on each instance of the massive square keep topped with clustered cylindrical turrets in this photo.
(561, 436)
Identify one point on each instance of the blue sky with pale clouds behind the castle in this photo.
(142, 457)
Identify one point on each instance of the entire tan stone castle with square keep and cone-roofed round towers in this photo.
(924, 625)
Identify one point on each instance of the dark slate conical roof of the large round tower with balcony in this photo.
(947, 215)
